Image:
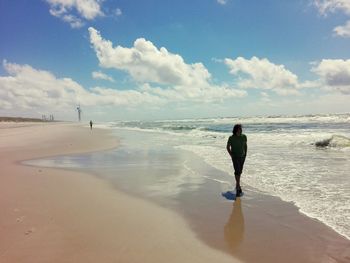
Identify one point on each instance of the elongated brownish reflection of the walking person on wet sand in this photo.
(234, 228)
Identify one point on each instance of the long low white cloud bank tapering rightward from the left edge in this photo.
(26, 89)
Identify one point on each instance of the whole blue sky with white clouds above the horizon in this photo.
(165, 59)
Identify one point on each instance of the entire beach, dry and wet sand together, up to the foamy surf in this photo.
(113, 202)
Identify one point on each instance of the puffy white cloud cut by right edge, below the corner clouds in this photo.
(334, 74)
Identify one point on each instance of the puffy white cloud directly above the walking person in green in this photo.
(262, 74)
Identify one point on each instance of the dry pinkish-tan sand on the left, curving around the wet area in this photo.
(51, 215)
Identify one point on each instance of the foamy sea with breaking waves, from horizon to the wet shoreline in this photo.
(301, 159)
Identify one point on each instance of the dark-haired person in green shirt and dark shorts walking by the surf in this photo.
(237, 148)
